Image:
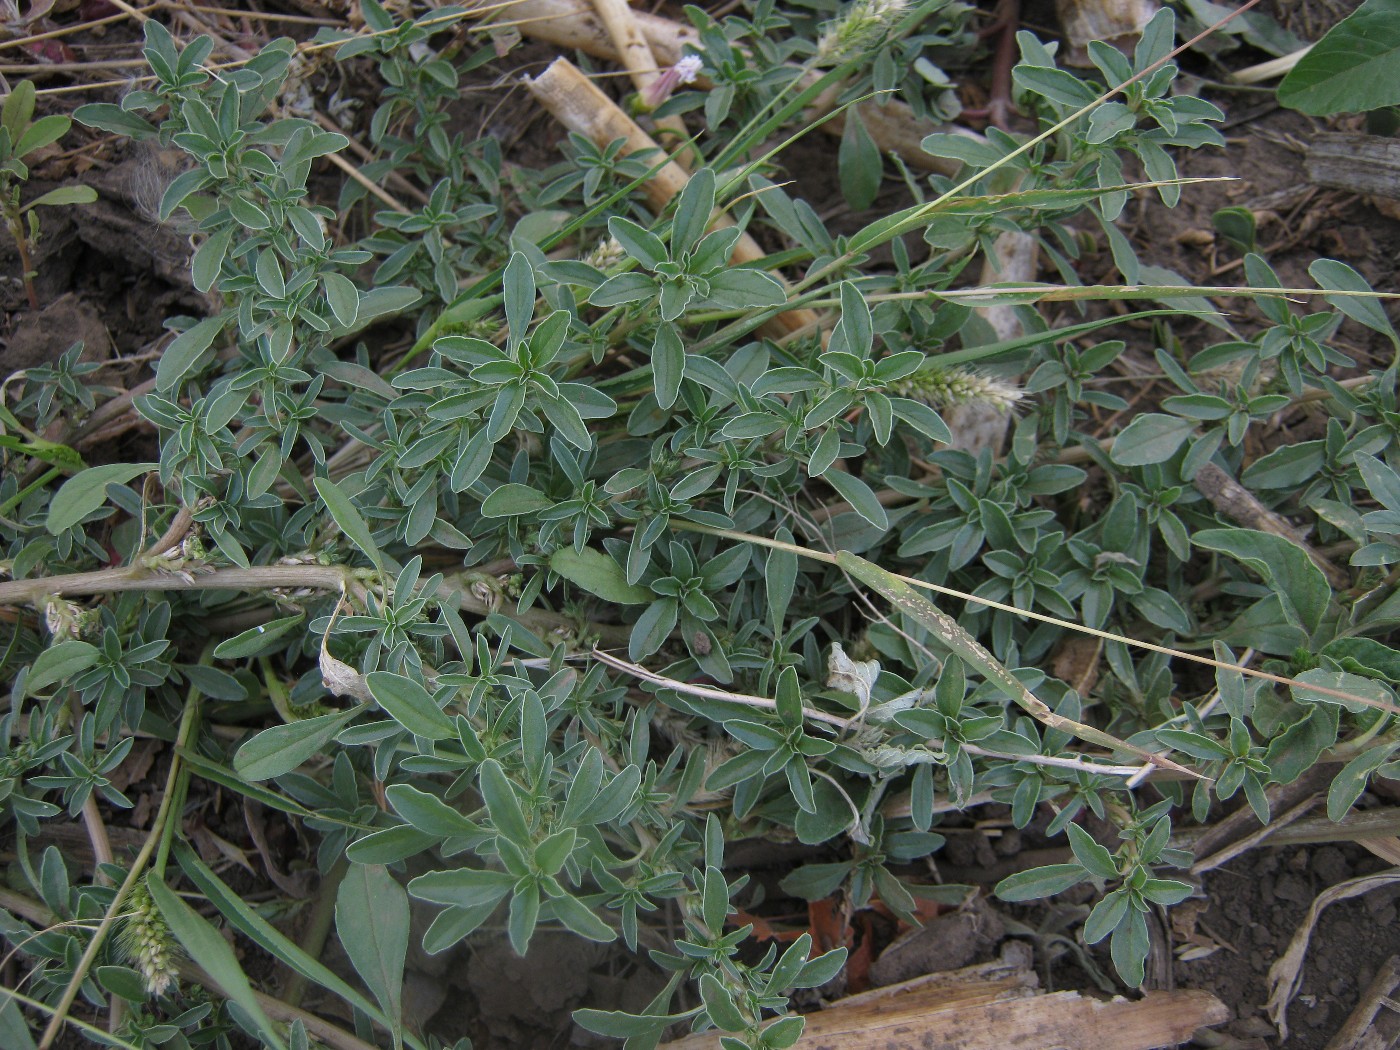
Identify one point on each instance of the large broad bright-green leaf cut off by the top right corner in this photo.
(1353, 69)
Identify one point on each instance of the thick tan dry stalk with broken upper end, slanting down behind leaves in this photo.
(580, 107)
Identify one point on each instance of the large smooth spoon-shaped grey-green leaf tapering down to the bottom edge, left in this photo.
(373, 925)
